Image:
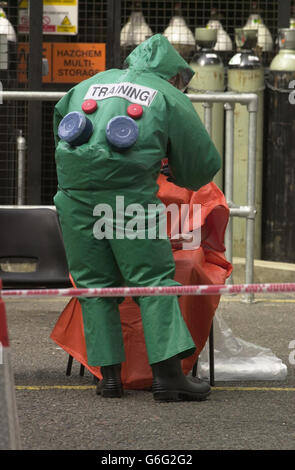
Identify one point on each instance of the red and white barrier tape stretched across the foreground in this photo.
(154, 291)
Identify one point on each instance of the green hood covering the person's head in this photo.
(158, 56)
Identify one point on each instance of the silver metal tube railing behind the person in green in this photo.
(229, 99)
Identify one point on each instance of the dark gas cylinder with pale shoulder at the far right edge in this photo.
(279, 169)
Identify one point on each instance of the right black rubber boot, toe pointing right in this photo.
(170, 383)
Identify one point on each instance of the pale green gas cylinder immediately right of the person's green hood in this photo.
(209, 76)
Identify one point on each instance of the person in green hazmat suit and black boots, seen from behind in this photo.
(112, 132)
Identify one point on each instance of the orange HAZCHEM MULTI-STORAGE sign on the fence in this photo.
(67, 62)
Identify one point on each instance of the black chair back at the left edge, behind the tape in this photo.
(32, 253)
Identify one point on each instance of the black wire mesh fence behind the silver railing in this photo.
(99, 21)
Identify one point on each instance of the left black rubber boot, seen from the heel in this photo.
(110, 386)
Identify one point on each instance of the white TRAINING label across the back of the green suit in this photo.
(129, 91)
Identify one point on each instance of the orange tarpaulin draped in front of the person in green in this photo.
(204, 265)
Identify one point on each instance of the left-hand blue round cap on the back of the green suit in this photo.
(75, 128)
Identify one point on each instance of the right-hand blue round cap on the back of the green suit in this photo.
(122, 132)
